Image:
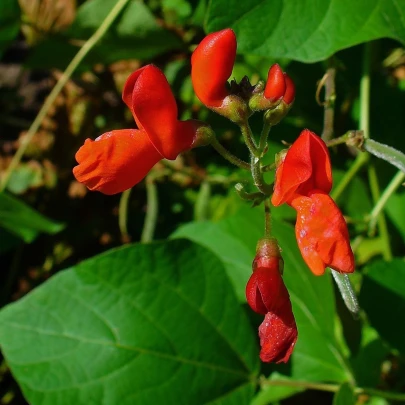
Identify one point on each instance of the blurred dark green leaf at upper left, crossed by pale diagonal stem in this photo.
(135, 35)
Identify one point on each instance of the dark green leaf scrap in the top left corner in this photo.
(9, 22)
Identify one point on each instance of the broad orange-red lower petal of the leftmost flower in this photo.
(115, 161)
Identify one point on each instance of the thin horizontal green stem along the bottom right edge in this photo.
(334, 388)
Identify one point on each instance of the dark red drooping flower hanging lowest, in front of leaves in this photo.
(267, 295)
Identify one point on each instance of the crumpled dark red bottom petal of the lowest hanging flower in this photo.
(278, 335)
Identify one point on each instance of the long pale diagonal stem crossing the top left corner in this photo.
(74, 63)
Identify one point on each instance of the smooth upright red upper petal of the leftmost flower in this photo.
(155, 110)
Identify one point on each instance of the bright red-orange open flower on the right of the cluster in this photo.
(304, 180)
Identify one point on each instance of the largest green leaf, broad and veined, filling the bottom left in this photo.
(145, 324)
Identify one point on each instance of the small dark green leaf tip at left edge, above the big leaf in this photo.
(23, 221)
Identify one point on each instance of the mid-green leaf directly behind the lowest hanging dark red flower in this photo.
(317, 355)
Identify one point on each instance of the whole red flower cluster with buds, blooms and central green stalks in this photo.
(119, 159)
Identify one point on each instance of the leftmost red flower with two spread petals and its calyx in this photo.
(119, 159)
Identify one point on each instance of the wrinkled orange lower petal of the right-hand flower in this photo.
(322, 234)
